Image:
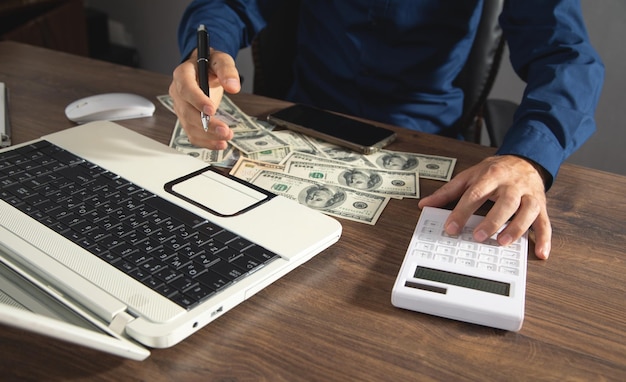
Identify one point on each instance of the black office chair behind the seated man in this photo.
(274, 50)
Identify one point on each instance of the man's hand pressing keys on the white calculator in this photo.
(518, 190)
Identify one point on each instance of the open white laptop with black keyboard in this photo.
(169, 247)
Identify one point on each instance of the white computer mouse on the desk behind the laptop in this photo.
(109, 107)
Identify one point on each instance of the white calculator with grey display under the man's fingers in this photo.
(458, 278)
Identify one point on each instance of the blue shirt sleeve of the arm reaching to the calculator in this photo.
(550, 50)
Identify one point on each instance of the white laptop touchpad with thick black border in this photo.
(216, 193)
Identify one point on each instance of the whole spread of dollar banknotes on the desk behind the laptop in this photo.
(334, 180)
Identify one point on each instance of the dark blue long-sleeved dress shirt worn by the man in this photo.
(395, 61)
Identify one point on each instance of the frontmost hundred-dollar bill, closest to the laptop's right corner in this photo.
(337, 201)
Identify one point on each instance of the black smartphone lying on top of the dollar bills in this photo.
(359, 136)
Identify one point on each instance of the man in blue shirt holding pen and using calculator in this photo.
(395, 61)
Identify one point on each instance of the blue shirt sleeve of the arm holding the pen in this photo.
(231, 24)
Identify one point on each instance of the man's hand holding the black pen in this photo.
(189, 100)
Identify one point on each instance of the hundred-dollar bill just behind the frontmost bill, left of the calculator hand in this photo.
(386, 182)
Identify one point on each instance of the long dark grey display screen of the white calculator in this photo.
(464, 281)
